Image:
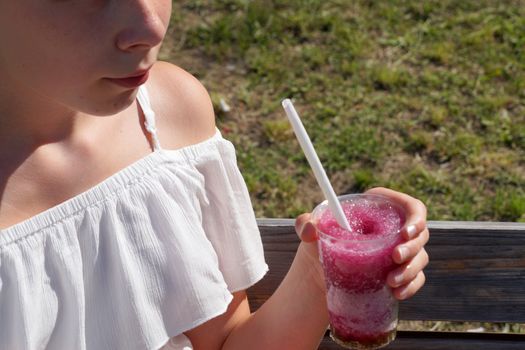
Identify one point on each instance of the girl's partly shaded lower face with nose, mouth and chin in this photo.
(67, 51)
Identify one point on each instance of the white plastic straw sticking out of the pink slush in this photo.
(315, 164)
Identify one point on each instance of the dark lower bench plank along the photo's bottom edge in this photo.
(446, 341)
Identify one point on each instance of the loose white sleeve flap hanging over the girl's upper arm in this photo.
(228, 219)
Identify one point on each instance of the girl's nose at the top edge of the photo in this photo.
(144, 26)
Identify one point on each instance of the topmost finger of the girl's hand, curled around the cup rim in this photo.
(415, 222)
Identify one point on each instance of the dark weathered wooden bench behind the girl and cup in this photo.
(476, 273)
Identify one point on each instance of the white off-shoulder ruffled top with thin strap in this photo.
(152, 251)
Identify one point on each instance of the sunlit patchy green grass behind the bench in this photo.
(423, 97)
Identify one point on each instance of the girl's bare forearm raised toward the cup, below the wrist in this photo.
(294, 317)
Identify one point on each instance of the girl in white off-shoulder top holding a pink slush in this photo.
(125, 223)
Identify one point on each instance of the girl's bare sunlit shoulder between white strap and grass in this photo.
(183, 106)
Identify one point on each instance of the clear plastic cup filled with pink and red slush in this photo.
(362, 309)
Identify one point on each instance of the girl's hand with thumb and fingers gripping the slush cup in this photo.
(408, 278)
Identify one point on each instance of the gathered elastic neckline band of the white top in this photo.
(107, 188)
